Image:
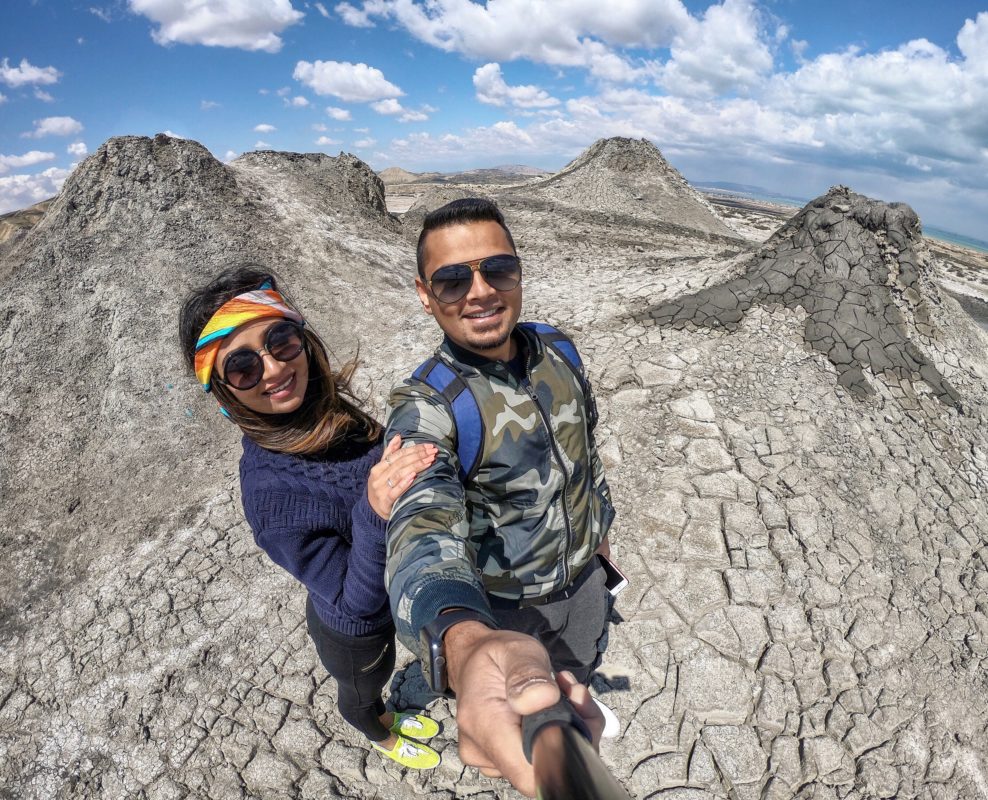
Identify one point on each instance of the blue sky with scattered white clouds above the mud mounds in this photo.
(890, 98)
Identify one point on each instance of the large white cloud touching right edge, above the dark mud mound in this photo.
(882, 108)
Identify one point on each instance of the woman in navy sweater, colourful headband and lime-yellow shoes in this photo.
(317, 486)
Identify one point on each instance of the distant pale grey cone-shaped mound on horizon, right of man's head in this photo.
(630, 177)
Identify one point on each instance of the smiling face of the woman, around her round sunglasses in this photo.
(282, 387)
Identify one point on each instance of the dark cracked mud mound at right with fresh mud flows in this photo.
(862, 274)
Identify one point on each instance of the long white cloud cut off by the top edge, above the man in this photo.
(569, 33)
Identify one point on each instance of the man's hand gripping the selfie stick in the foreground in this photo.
(498, 677)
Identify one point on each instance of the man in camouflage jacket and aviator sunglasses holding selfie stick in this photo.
(483, 557)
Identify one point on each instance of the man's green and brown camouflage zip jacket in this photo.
(532, 515)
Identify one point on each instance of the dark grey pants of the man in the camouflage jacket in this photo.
(571, 628)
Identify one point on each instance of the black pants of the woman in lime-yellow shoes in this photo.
(361, 666)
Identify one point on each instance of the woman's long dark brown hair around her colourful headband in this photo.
(329, 412)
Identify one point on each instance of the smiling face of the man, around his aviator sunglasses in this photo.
(482, 320)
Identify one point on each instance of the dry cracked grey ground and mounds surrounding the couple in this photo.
(795, 434)
